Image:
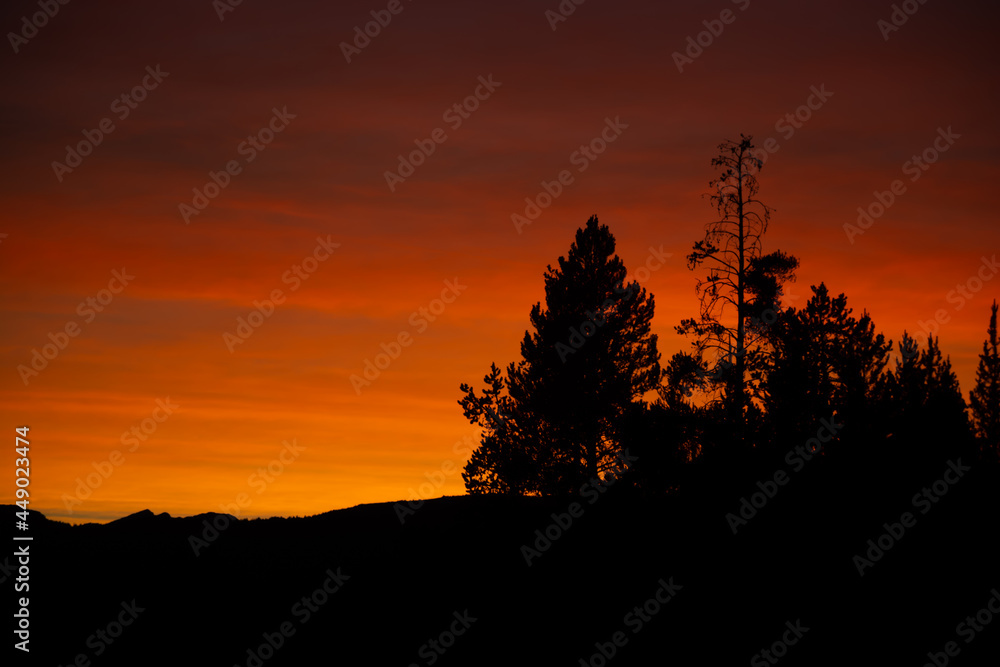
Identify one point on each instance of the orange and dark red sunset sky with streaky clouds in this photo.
(394, 248)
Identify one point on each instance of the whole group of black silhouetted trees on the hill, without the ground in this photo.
(760, 379)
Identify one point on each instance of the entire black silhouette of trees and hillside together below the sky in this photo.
(793, 469)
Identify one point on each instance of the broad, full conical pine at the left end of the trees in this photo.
(589, 359)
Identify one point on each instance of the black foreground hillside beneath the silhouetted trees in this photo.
(454, 574)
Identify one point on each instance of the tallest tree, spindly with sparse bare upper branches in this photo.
(741, 293)
